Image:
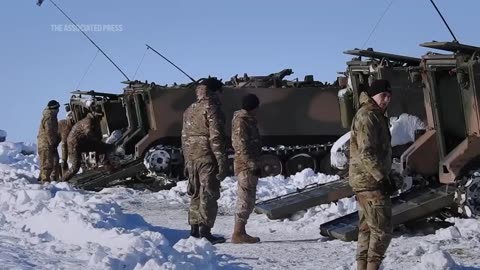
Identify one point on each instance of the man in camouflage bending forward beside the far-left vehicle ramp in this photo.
(85, 136)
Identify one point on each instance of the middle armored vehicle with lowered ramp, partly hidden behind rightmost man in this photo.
(366, 66)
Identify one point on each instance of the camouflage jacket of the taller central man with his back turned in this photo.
(203, 131)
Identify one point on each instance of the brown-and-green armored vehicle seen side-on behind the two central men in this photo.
(298, 121)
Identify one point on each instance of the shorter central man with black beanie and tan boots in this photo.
(247, 144)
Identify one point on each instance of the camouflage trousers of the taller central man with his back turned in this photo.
(204, 189)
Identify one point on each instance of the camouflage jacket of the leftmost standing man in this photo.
(48, 131)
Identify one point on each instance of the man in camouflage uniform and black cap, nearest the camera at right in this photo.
(369, 172)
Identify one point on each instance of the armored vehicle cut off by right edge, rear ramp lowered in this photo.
(444, 161)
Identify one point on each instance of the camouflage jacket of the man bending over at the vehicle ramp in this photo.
(85, 130)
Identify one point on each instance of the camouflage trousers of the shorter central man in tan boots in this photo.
(246, 194)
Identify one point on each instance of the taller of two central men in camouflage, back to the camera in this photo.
(203, 144)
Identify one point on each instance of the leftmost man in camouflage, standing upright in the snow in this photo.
(47, 140)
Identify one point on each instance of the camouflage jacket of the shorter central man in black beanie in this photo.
(246, 141)
